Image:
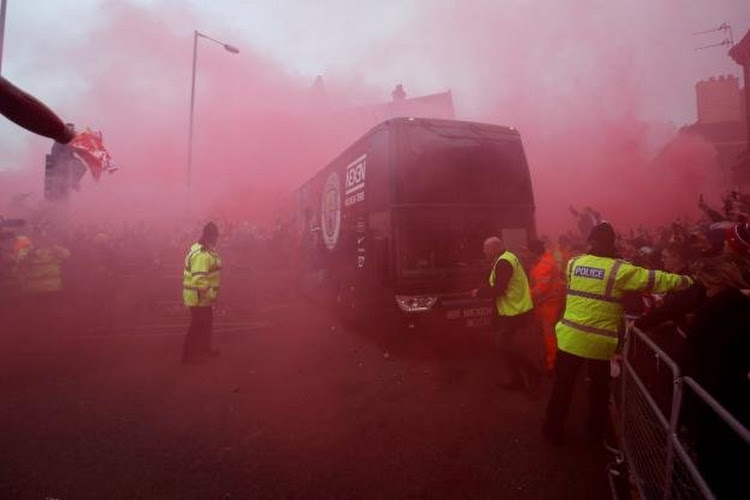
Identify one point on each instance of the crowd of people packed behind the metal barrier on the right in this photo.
(705, 328)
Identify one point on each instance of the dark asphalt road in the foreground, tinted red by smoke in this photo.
(296, 406)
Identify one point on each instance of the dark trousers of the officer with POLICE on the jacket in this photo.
(566, 370)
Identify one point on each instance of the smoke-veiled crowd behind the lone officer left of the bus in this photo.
(95, 278)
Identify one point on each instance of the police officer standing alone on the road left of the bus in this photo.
(200, 287)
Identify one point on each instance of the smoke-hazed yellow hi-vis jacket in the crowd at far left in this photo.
(39, 269)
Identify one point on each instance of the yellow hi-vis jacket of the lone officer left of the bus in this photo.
(201, 276)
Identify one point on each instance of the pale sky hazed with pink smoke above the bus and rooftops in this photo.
(623, 72)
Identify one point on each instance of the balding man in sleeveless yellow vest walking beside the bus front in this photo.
(508, 286)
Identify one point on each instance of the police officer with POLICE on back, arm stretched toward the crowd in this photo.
(592, 325)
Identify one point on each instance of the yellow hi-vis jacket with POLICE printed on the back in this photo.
(593, 319)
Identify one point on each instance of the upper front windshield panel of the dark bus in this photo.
(461, 164)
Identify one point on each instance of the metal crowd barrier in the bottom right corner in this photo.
(650, 420)
